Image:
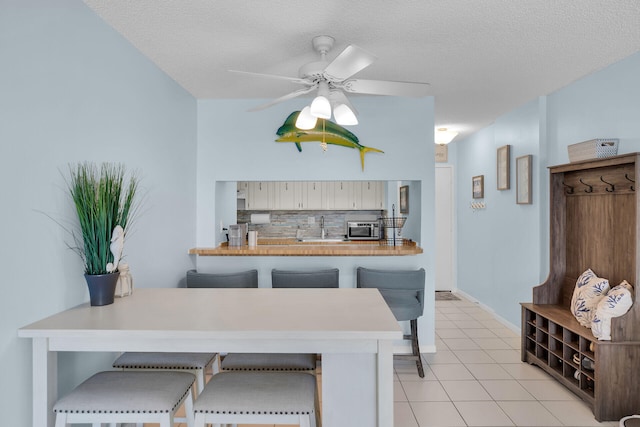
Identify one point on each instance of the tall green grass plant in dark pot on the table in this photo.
(105, 200)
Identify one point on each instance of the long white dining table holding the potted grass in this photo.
(353, 329)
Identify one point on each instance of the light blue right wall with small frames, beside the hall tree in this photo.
(503, 250)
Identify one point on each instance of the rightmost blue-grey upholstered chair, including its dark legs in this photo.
(403, 291)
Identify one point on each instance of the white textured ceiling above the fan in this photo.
(482, 58)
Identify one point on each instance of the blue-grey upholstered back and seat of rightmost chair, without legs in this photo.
(395, 285)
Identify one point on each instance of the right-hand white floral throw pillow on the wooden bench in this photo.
(616, 303)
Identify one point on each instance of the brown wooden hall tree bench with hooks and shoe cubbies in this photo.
(594, 224)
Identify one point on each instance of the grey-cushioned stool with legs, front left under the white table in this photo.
(127, 397)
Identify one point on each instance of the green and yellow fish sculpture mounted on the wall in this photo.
(331, 134)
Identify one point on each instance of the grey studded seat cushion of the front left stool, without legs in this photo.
(128, 392)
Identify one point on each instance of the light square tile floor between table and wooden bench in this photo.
(476, 378)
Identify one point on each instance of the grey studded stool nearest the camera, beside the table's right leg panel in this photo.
(257, 398)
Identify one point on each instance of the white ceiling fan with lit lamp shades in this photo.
(332, 79)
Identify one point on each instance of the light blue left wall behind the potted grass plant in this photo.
(73, 89)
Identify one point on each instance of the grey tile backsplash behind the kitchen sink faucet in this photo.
(285, 224)
